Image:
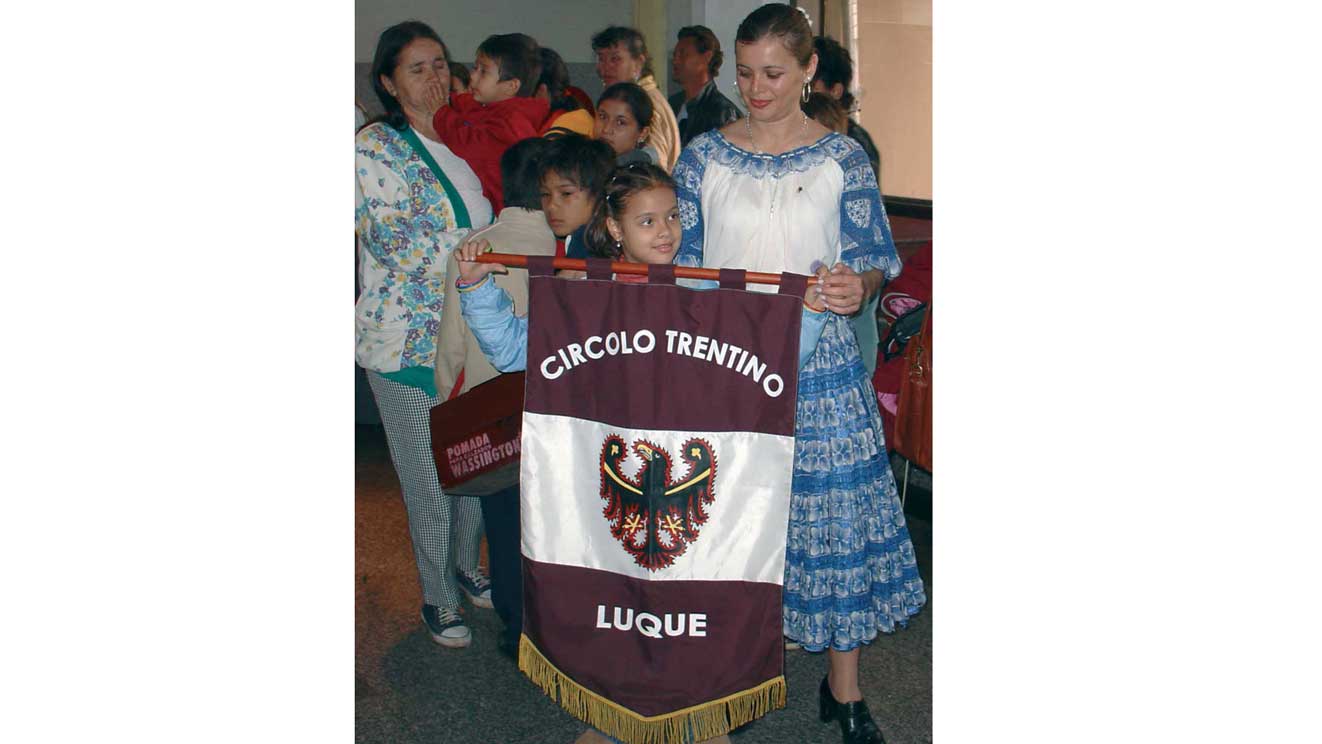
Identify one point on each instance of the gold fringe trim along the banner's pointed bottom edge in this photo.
(709, 720)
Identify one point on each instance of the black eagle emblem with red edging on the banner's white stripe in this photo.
(654, 517)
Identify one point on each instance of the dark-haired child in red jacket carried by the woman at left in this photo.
(499, 109)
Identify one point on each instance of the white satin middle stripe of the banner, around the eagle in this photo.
(563, 509)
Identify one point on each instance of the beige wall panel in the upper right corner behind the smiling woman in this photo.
(894, 72)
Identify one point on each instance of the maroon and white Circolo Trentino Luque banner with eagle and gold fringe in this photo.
(658, 445)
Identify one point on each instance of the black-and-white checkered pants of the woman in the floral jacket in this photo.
(436, 520)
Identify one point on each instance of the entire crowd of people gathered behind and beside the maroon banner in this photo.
(512, 158)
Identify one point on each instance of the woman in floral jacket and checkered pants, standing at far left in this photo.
(416, 202)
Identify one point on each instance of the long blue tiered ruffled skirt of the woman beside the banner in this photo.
(849, 564)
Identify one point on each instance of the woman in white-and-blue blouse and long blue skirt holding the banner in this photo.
(779, 192)
